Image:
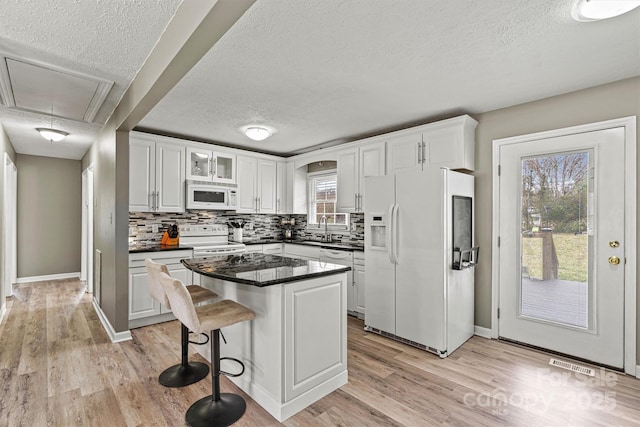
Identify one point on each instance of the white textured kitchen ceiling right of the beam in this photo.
(328, 71)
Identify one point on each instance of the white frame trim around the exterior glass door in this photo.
(630, 184)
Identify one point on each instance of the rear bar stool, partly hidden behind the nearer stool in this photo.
(186, 372)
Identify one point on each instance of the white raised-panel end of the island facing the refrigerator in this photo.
(313, 349)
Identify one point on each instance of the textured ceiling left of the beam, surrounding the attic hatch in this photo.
(108, 40)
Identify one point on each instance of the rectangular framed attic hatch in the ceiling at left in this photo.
(50, 90)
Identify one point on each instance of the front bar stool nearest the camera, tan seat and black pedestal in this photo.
(219, 409)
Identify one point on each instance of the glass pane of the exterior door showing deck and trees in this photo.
(555, 238)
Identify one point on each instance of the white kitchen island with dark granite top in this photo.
(295, 350)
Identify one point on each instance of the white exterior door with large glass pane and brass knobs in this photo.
(562, 249)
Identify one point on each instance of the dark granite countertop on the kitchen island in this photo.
(261, 269)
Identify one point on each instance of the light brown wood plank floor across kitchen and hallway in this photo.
(58, 367)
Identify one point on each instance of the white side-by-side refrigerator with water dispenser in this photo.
(414, 291)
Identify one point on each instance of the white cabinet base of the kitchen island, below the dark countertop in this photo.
(295, 349)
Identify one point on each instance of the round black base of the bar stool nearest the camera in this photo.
(209, 412)
